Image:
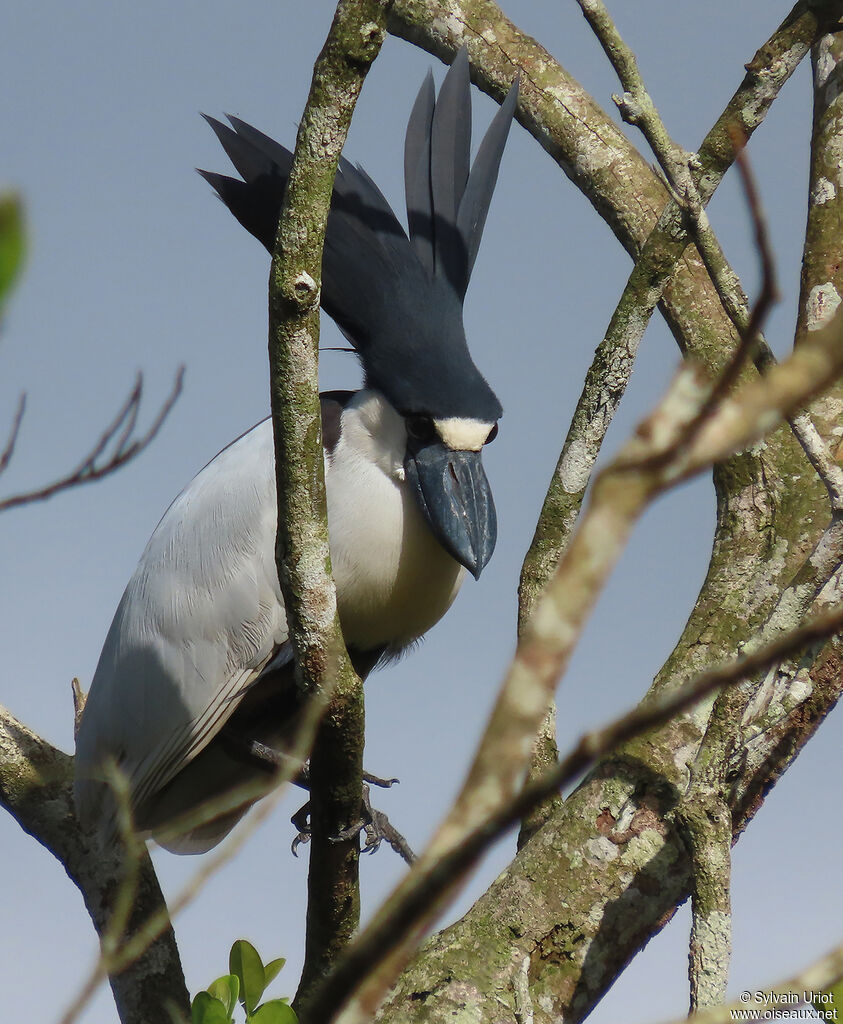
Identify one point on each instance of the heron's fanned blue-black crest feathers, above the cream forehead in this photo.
(397, 300)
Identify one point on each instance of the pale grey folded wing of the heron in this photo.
(200, 620)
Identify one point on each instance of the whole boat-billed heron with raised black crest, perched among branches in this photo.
(198, 656)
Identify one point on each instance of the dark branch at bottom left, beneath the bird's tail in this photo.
(36, 788)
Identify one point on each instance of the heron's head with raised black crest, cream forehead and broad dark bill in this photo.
(398, 296)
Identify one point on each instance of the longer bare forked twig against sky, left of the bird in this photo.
(115, 448)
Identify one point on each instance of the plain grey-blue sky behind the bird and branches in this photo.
(136, 266)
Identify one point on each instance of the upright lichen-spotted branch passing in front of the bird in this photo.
(336, 759)
